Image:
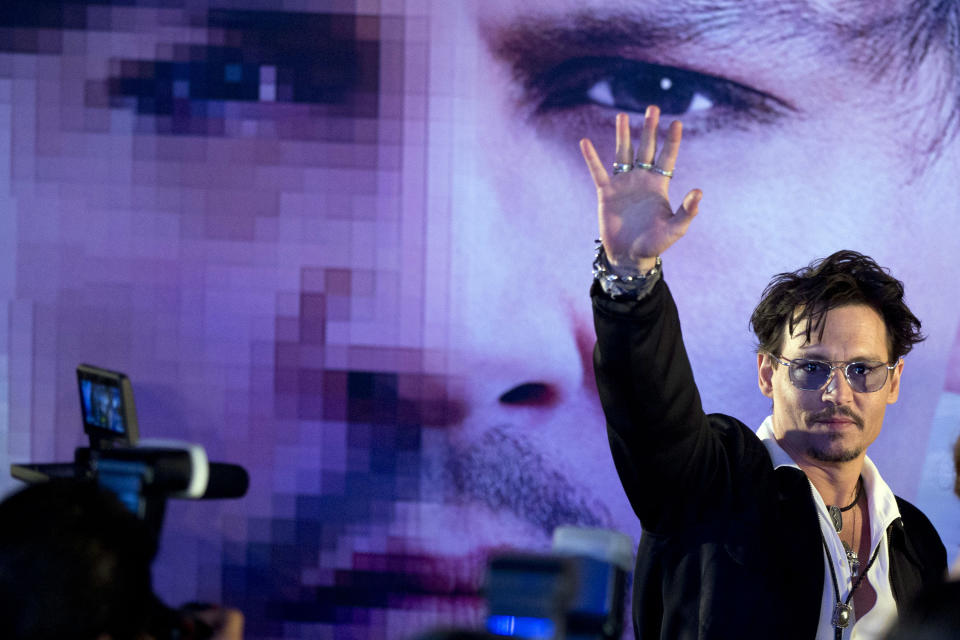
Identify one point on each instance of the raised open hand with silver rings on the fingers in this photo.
(637, 223)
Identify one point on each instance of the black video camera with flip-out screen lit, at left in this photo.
(142, 474)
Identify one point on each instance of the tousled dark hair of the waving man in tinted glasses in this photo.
(846, 277)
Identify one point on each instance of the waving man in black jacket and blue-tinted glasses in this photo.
(790, 533)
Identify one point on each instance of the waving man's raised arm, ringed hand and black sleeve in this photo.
(677, 465)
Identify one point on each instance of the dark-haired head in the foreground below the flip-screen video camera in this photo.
(74, 563)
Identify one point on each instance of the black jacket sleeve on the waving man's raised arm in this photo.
(678, 466)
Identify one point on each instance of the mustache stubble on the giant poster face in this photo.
(507, 474)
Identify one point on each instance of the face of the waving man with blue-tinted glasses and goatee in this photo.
(832, 424)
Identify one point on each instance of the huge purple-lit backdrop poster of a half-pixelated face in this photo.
(347, 244)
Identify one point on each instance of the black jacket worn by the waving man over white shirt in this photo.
(731, 547)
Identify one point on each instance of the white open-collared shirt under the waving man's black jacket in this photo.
(883, 511)
